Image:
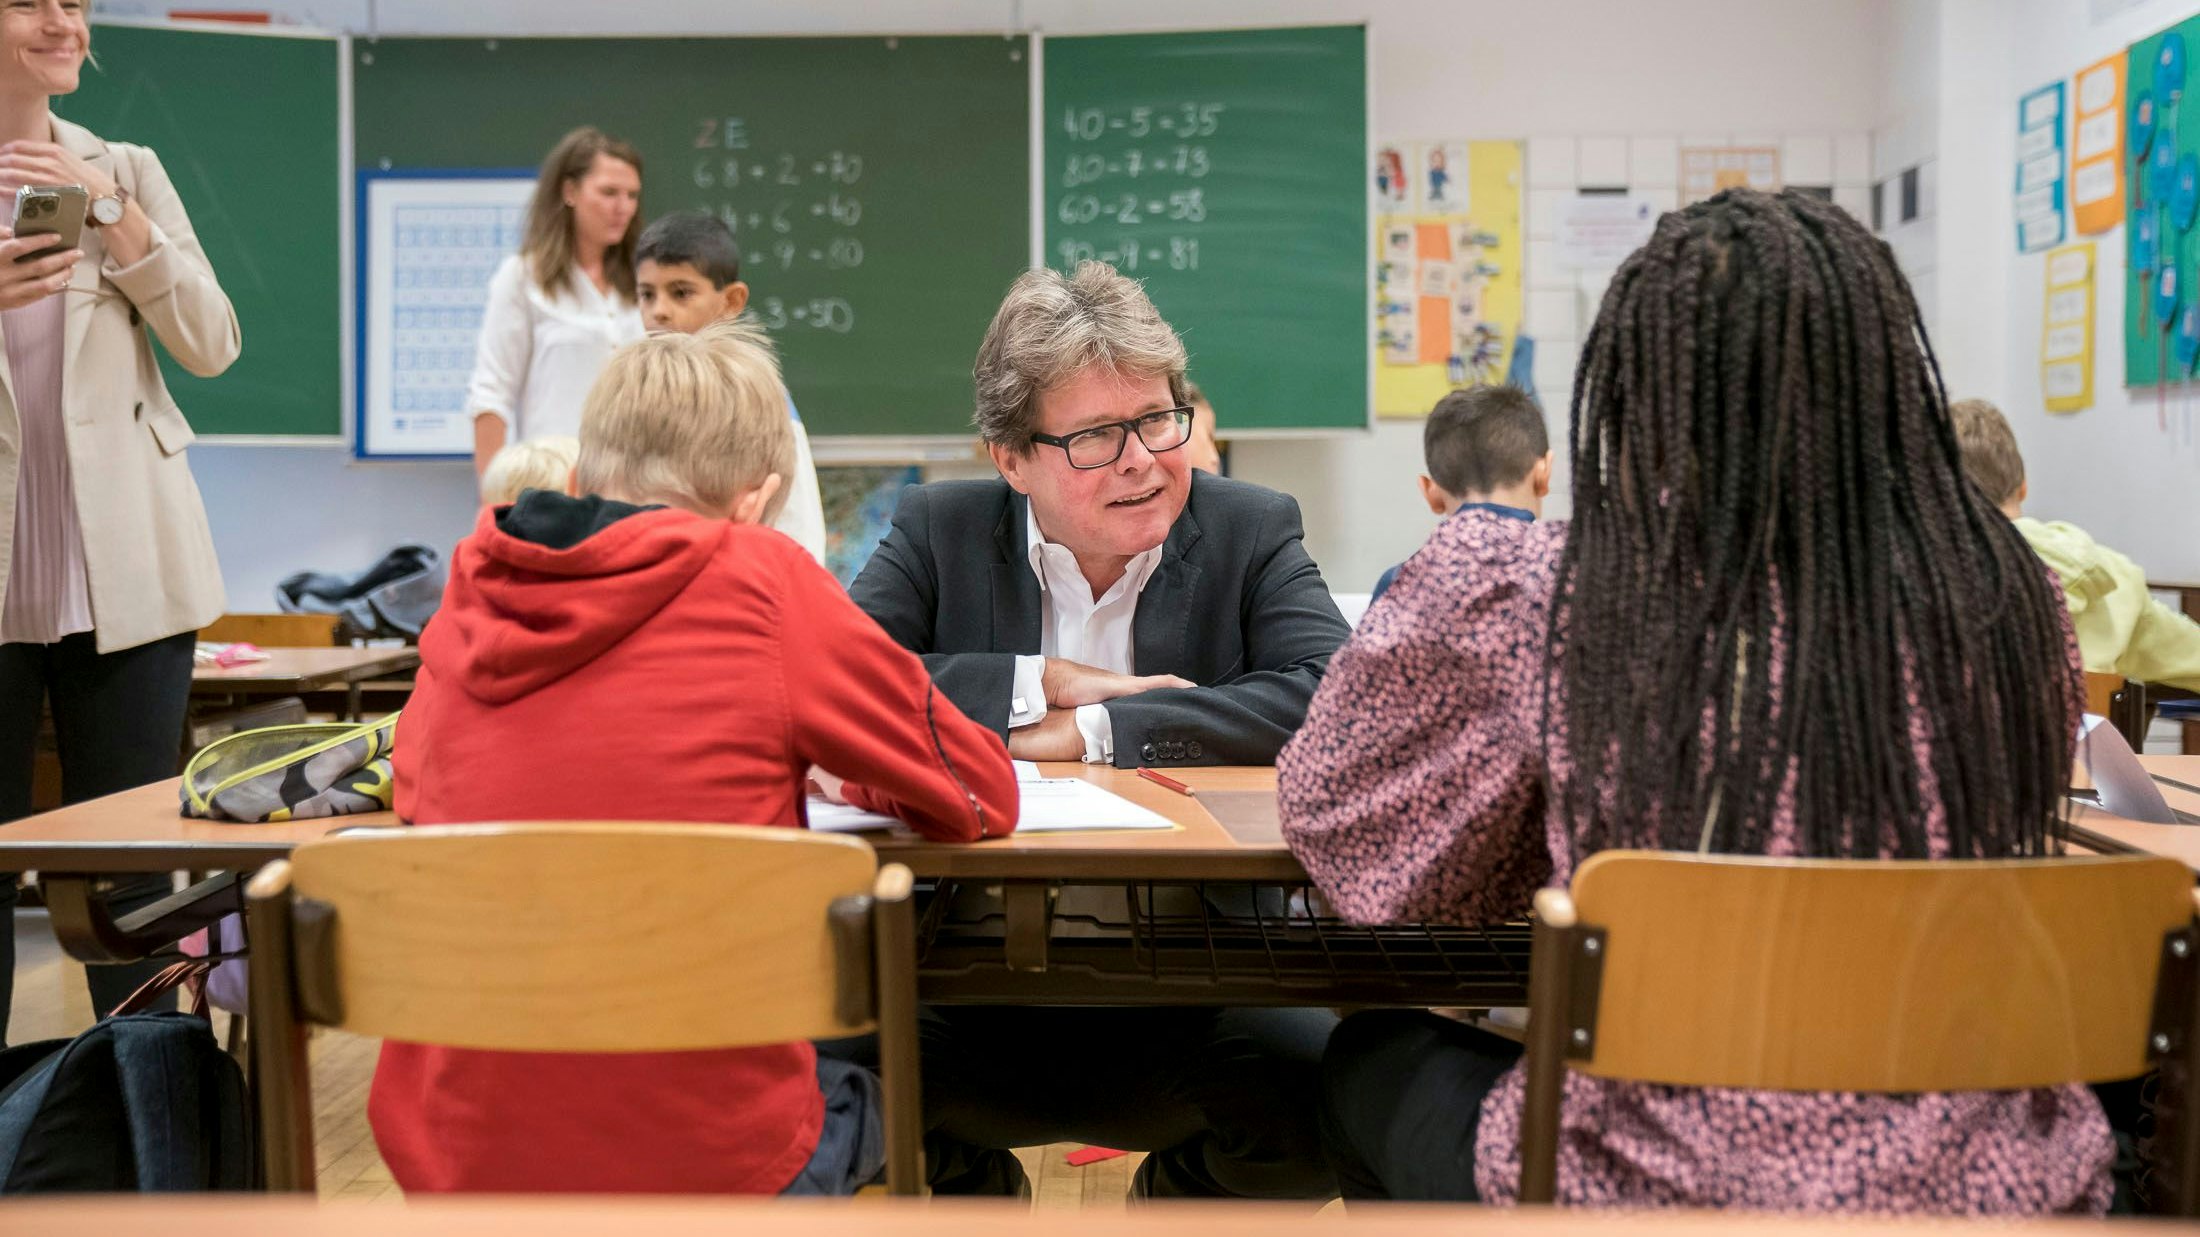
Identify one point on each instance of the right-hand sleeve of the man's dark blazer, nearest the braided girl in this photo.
(1292, 628)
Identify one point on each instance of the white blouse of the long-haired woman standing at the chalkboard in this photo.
(540, 353)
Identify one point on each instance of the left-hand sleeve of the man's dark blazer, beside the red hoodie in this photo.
(901, 591)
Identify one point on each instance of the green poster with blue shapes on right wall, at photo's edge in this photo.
(2159, 204)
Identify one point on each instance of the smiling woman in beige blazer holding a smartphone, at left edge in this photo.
(107, 567)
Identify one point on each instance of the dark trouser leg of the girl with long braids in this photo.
(1402, 1099)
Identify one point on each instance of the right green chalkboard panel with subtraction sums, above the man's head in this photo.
(1229, 173)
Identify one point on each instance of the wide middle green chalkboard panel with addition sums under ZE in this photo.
(879, 186)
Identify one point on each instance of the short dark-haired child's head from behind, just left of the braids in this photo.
(1486, 444)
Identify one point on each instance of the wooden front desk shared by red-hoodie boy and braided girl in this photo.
(1138, 917)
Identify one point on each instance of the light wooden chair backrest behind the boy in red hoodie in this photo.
(582, 937)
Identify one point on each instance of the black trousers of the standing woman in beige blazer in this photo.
(118, 721)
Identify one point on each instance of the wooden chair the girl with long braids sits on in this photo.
(1858, 976)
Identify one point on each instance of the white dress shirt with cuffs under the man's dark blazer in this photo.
(1077, 626)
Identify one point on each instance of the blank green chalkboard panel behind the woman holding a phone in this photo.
(247, 129)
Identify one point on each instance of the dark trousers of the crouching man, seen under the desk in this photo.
(1222, 1102)
